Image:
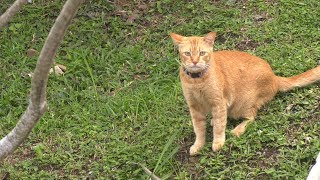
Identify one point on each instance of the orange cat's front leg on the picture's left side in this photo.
(199, 127)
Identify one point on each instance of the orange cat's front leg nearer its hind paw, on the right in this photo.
(219, 122)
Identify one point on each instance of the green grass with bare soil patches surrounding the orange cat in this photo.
(120, 102)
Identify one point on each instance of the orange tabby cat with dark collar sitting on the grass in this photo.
(227, 83)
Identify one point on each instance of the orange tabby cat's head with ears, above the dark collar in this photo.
(194, 51)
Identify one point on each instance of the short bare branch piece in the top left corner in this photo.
(6, 17)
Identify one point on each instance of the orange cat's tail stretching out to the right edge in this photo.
(301, 80)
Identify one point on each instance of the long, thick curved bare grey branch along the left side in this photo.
(37, 105)
